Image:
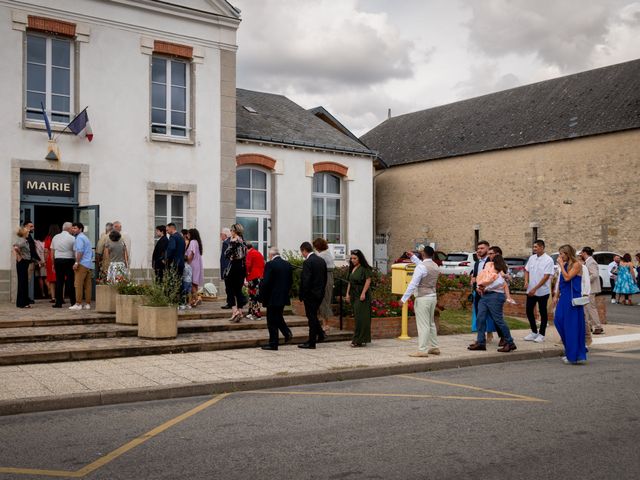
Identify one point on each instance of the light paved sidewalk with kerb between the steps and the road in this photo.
(51, 386)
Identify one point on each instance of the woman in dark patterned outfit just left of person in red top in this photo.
(236, 271)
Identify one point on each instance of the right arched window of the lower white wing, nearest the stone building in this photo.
(326, 207)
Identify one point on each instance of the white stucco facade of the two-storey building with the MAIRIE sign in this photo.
(114, 81)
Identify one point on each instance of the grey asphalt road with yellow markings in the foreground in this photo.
(568, 422)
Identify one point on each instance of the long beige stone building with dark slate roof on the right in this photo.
(557, 160)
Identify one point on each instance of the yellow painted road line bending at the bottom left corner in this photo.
(109, 457)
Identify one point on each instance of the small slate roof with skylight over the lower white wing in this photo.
(279, 120)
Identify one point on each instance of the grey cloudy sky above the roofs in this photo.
(357, 58)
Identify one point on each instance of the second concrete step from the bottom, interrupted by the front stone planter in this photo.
(113, 330)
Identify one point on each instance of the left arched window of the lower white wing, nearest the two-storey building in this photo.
(253, 206)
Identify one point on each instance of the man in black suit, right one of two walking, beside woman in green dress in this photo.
(312, 286)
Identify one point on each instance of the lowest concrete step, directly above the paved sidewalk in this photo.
(87, 349)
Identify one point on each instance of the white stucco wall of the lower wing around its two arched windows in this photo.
(293, 182)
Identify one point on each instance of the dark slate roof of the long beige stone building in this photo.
(598, 101)
